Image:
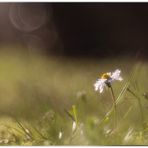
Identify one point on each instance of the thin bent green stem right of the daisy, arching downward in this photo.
(140, 106)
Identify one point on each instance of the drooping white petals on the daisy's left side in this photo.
(99, 85)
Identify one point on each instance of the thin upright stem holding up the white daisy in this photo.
(115, 107)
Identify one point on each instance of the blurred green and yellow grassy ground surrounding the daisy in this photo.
(52, 101)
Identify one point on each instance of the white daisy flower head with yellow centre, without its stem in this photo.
(106, 79)
